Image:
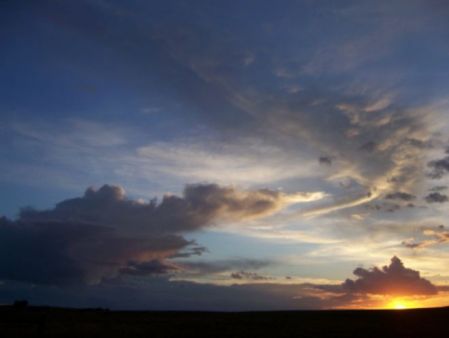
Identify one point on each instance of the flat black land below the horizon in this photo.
(53, 322)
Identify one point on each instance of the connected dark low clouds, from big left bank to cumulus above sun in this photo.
(103, 249)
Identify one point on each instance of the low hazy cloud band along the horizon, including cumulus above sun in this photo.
(257, 292)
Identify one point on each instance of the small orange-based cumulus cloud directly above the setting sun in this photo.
(394, 279)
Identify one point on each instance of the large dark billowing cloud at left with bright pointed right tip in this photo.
(104, 234)
